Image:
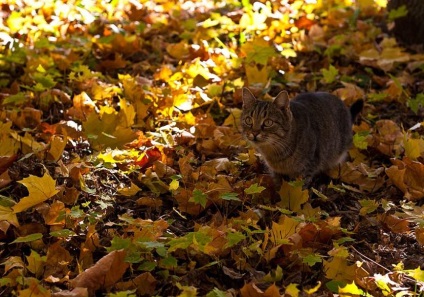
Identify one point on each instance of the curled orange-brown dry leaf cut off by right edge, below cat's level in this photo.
(408, 176)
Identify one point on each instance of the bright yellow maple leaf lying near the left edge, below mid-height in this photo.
(40, 189)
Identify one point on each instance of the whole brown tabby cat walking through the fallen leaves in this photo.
(301, 137)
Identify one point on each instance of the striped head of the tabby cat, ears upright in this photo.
(265, 122)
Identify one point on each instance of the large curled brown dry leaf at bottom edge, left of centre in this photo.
(104, 274)
